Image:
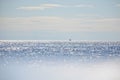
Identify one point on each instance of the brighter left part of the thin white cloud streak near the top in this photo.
(41, 7)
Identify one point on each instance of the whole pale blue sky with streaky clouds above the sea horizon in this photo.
(59, 19)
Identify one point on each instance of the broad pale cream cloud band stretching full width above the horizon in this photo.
(61, 24)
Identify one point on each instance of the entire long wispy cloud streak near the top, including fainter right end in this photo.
(49, 6)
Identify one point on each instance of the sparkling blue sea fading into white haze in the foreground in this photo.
(59, 60)
